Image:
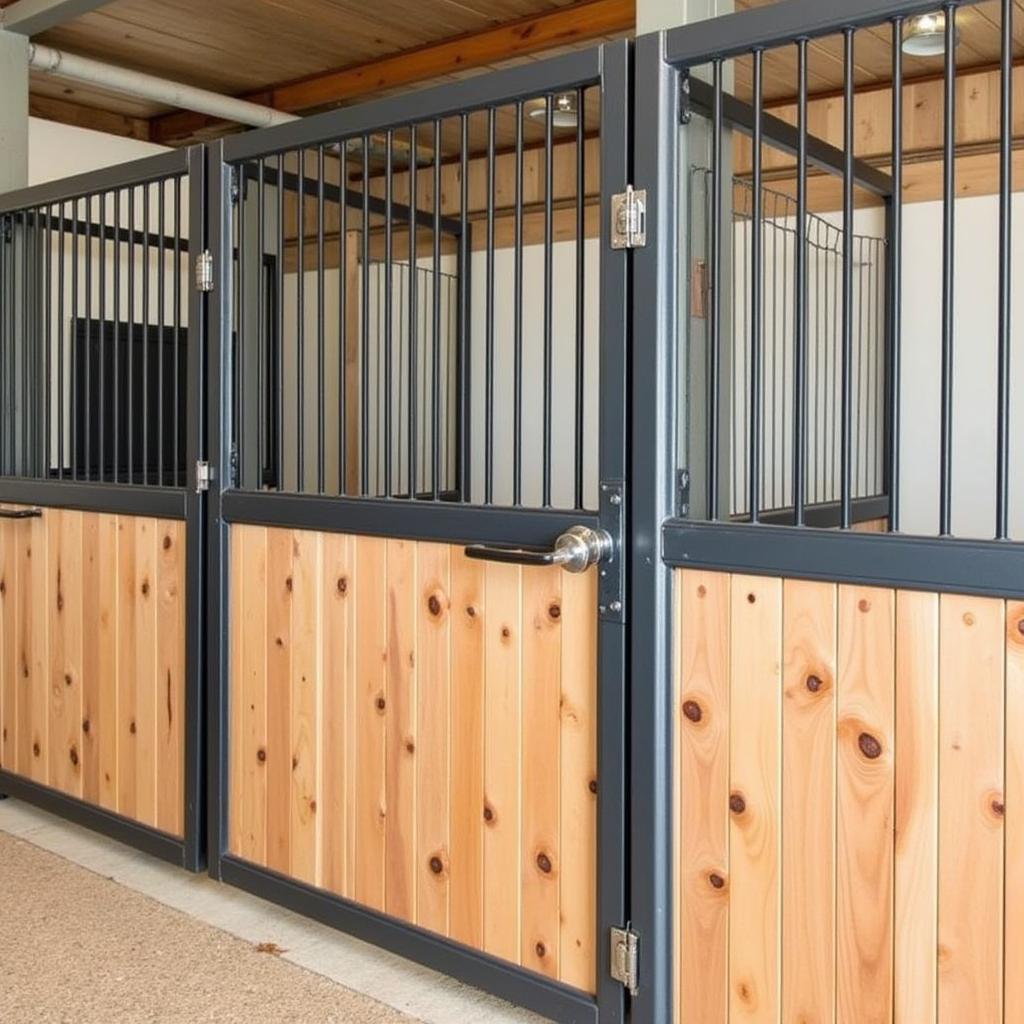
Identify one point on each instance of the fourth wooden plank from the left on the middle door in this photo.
(338, 638)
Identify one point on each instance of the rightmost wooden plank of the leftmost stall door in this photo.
(170, 681)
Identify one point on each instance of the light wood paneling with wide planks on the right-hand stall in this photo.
(899, 843)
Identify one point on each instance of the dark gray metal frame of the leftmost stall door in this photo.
(174, 503)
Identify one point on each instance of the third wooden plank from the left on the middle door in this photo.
(306, 706)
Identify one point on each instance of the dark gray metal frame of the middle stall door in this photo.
(609, 67)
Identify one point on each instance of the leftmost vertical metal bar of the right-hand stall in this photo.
(717, 220)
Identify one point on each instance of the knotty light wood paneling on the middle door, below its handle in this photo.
(457, 726)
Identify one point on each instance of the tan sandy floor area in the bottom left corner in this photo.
(77, 949)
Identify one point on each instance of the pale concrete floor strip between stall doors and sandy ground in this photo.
(422, 994)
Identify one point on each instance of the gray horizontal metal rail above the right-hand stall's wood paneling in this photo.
(961, 567)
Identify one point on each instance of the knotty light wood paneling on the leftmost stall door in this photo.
(93, 660)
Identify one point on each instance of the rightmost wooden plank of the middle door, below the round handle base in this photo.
(578, 840)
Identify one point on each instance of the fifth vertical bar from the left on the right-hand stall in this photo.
(895, 312)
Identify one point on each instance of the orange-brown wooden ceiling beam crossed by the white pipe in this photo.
(566, 26)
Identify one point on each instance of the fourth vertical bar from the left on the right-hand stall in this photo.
(846, 433)
